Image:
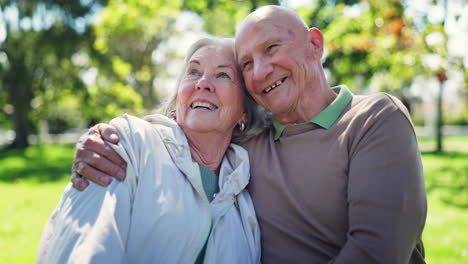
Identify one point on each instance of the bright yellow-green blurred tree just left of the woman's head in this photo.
(127, 35)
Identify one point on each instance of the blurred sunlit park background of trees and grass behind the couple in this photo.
(66, 65)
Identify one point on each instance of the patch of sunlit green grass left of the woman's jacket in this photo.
(31, 183)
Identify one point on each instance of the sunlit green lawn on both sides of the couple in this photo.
(32, 181)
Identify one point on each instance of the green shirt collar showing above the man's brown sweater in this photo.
(329, 115)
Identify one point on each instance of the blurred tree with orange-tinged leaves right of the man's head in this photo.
(371, 44)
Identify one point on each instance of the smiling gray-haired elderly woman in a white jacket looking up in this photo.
(184, 198)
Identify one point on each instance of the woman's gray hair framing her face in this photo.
(258, 119)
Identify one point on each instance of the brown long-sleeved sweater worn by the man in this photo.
(353, 193)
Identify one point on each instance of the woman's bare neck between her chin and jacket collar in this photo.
(208, 149)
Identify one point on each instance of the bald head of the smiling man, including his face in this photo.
(280, 60)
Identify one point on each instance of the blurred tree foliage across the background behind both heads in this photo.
(68, 71)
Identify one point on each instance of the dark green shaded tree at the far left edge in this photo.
(39, 38)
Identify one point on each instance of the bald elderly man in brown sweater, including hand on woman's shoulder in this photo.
(337, 178)
